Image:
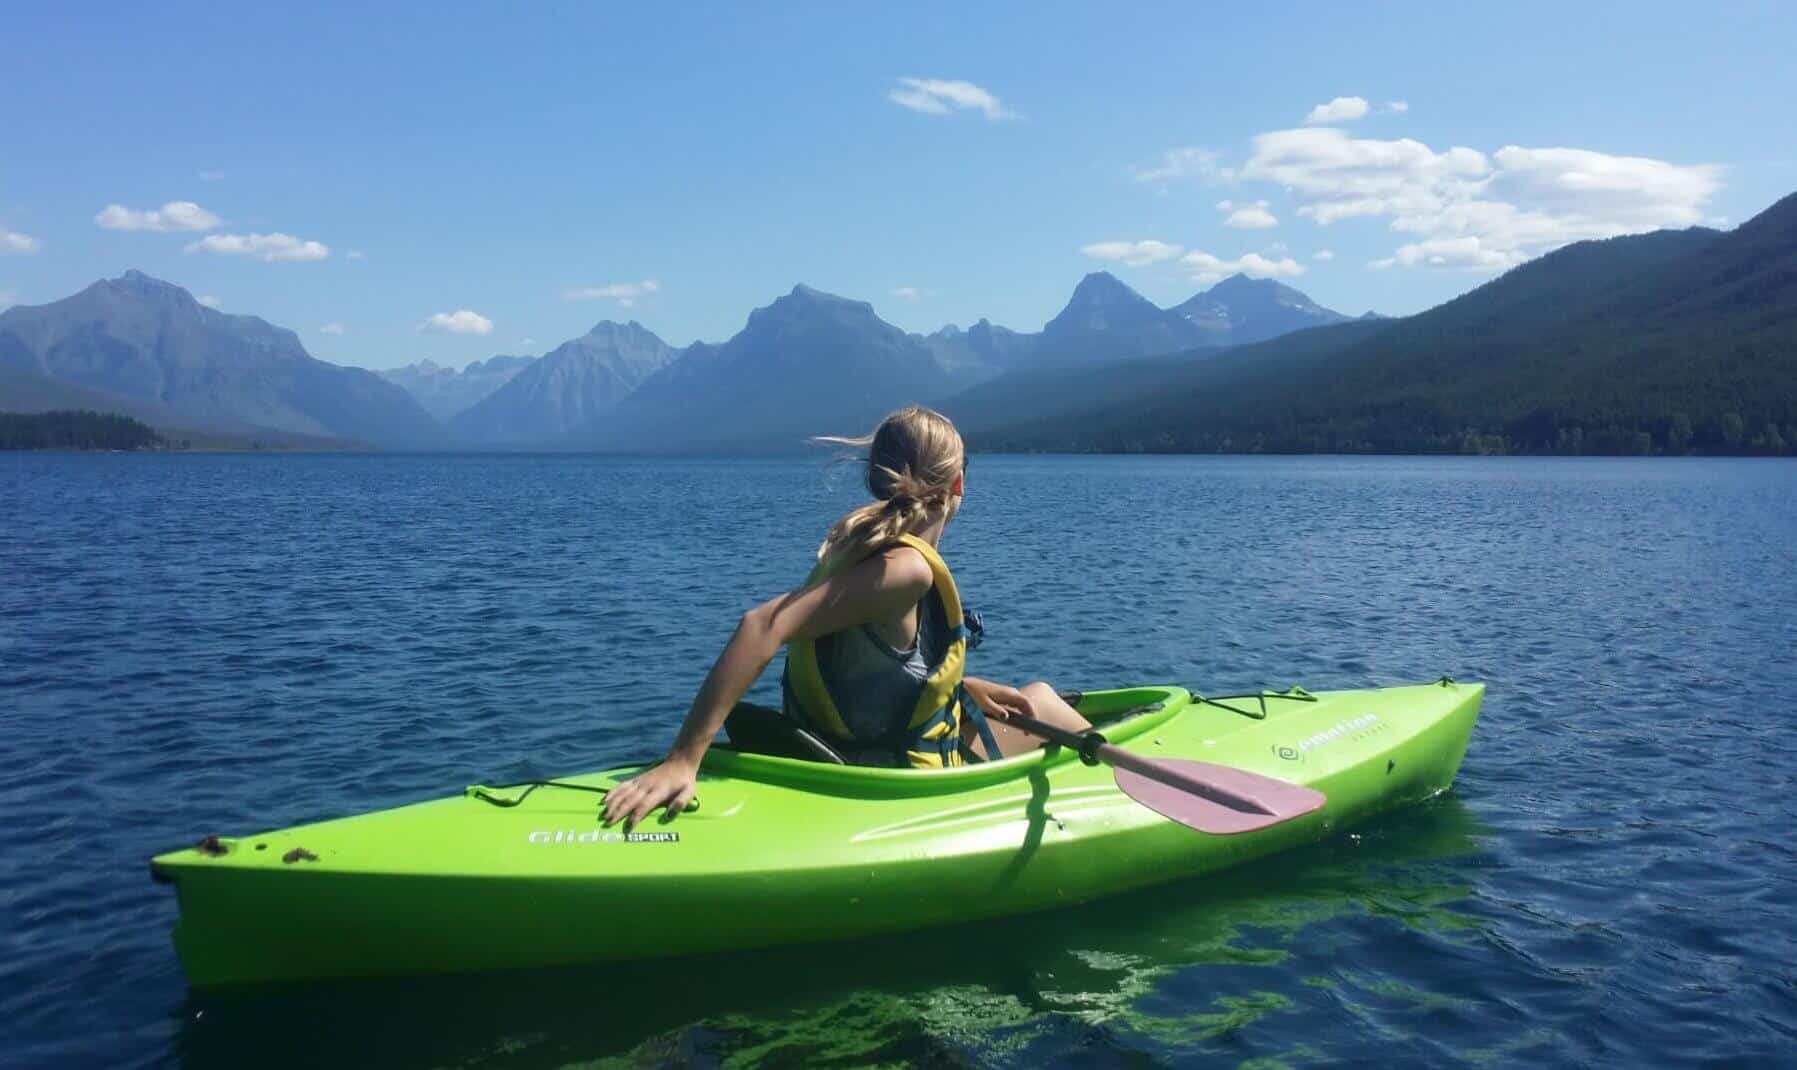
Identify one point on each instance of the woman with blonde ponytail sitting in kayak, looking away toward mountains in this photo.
(876, 639)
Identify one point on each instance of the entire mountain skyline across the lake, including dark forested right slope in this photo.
(1654, 343)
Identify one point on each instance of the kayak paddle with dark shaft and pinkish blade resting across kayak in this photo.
(1214, 799)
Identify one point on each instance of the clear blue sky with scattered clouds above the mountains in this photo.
(452, 183)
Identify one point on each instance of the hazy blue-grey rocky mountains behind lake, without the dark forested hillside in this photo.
(148, 350)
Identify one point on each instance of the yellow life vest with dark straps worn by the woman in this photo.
(934, 736)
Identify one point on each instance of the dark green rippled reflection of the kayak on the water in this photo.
(1205, 967)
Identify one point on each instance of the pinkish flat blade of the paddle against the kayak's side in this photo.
(1216, 799)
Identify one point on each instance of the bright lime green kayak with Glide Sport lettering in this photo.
(788, 852)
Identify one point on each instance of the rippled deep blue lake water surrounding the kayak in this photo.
(227, 643)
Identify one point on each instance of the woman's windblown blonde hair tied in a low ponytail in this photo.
(914, 459)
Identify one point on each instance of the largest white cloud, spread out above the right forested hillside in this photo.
(1471, 211)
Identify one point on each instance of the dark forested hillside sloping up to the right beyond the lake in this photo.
(1669, 343)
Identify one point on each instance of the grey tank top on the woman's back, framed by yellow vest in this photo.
(876, 688)
